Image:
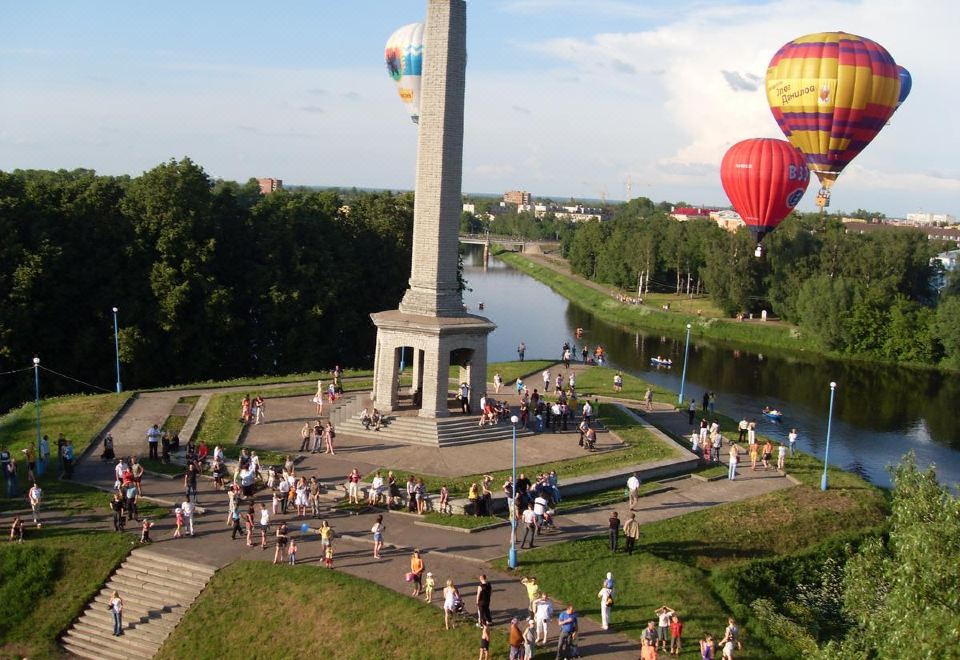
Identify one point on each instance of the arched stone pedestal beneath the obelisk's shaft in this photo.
(438, 342)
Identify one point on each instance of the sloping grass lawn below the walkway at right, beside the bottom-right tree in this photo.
(676, 558)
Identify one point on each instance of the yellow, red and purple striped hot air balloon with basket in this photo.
(831, 93)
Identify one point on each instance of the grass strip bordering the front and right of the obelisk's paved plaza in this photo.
(640, 447)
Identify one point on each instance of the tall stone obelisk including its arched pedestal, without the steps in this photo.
(431, 319)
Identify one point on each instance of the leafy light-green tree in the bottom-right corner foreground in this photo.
(903, 591)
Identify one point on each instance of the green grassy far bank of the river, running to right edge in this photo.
(601, 301)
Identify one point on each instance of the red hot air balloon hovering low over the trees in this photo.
(764, 179)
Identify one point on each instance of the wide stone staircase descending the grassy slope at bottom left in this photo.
(156, 591)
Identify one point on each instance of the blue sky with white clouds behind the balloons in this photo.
(565, 98)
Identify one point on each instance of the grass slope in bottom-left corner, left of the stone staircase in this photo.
(47, 581)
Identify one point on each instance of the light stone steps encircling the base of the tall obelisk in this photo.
(441, 432)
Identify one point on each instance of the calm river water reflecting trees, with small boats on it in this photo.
(880, 412)
